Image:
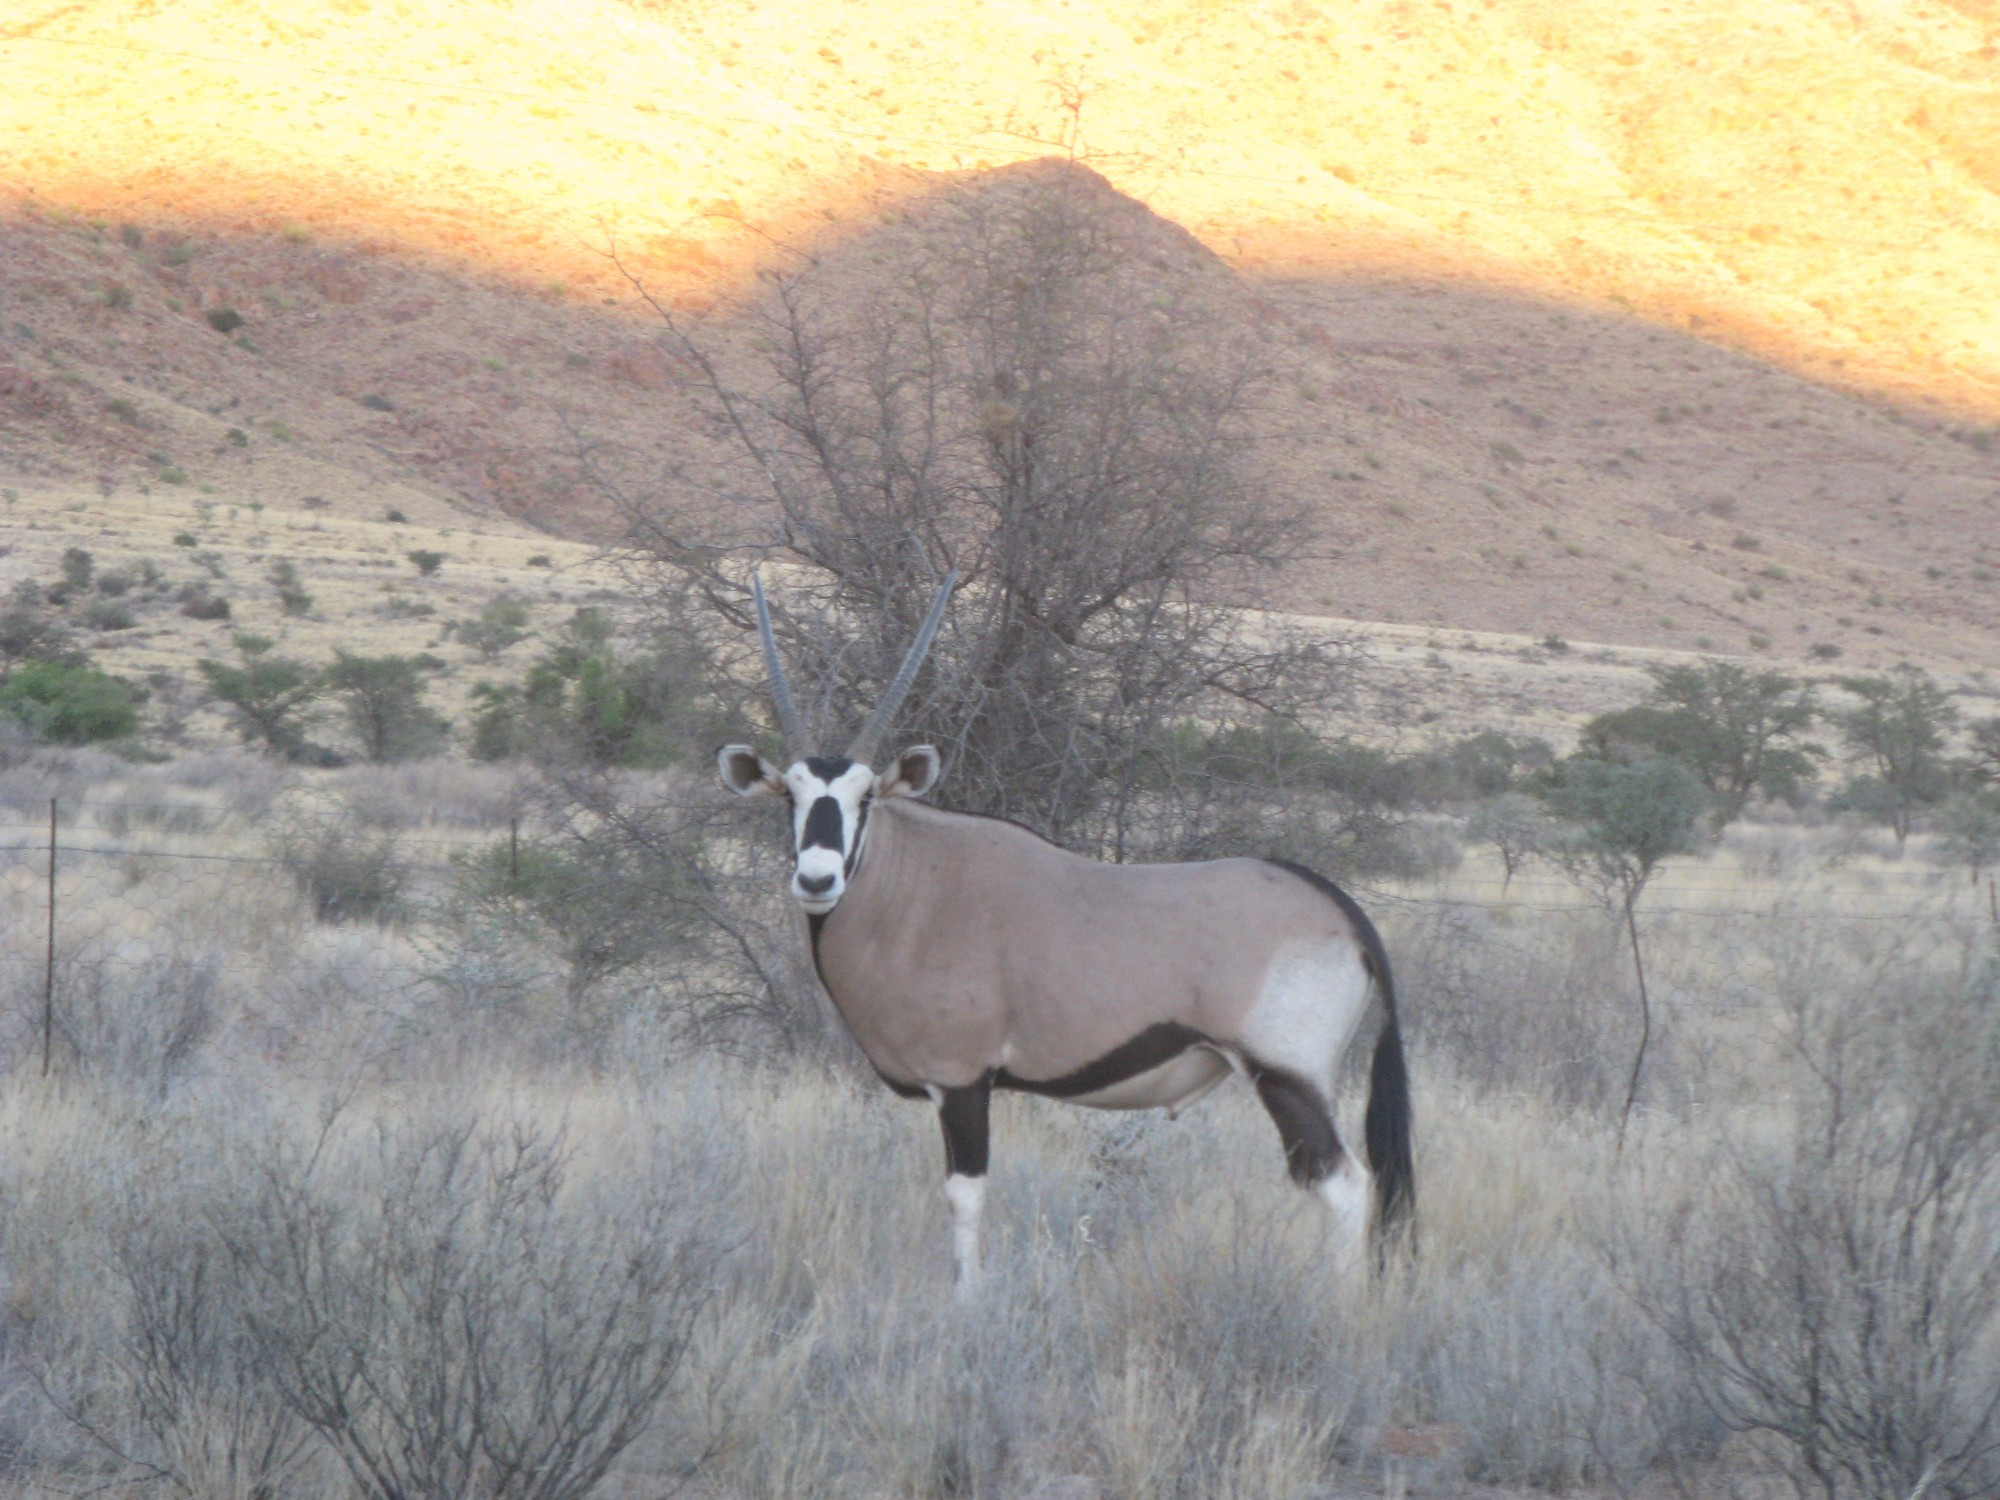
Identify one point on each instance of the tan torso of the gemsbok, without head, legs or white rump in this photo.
(967, 947)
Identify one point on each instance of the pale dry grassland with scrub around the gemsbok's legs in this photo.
(325, 1205)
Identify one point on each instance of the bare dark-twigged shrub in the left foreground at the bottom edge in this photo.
(451, 1315)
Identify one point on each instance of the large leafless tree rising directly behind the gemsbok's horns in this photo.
(1055, 397)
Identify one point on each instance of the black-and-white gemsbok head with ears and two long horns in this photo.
(831, 795)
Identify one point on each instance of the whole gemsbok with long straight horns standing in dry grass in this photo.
(971, 955)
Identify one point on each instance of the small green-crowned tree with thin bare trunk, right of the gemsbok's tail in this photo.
(1627, 823)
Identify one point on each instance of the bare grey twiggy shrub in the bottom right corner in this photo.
(1837, 1293)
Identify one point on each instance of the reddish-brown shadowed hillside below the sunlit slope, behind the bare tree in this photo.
(1483, 461)
